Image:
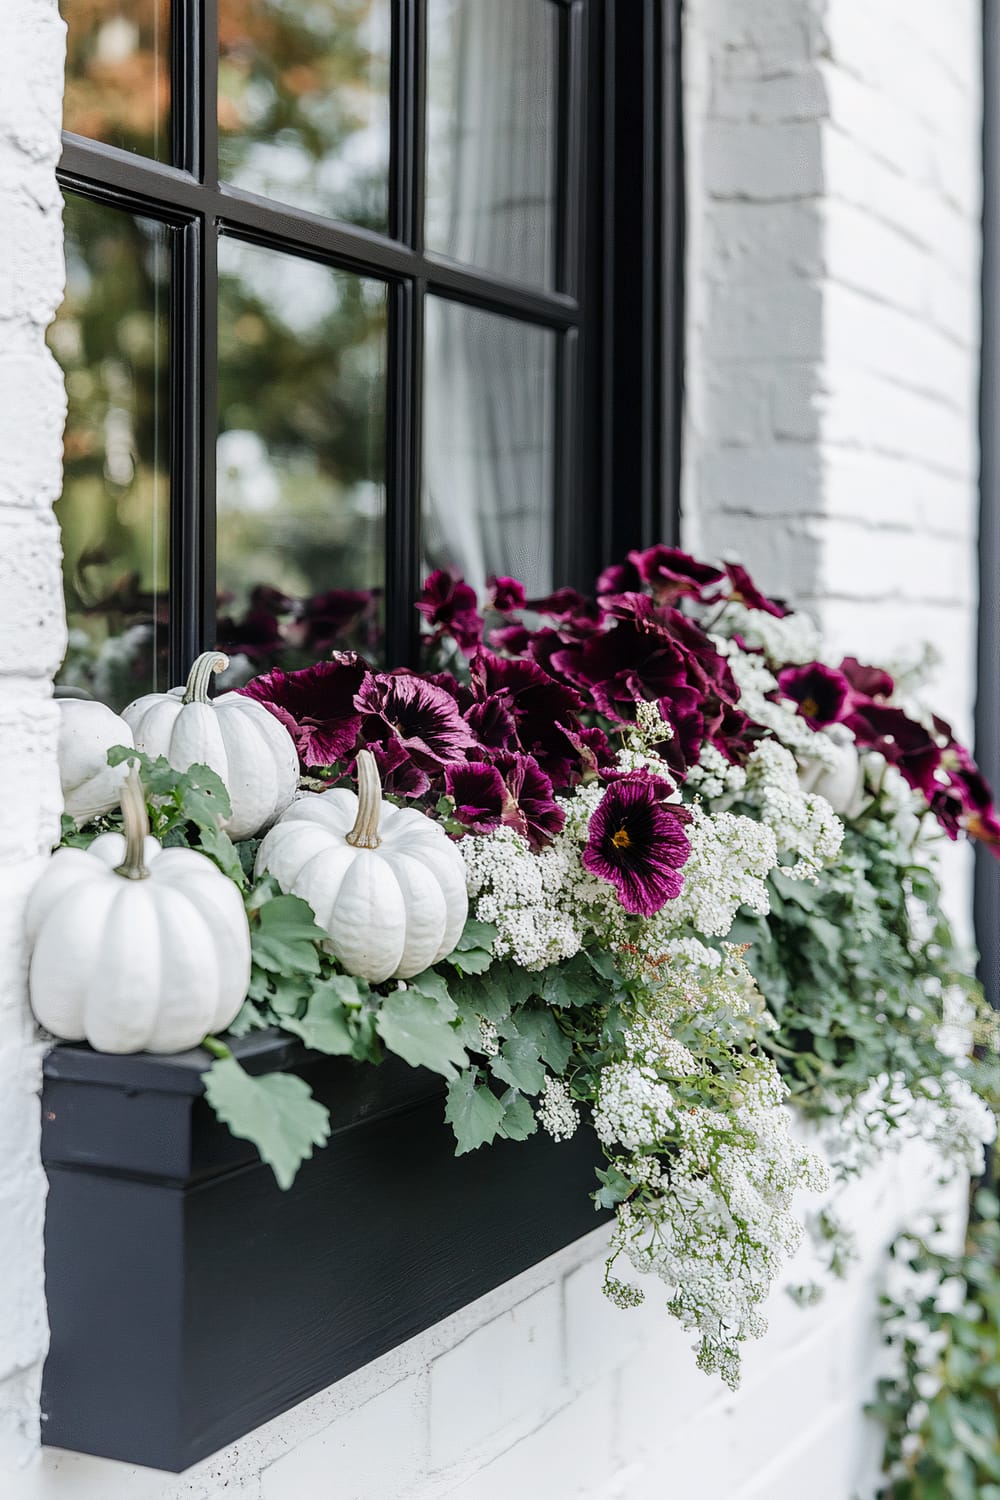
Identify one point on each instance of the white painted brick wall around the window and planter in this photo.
(831, 373)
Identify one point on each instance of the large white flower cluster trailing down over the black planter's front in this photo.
(720, 1226)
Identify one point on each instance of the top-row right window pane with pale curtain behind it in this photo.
(493, 91)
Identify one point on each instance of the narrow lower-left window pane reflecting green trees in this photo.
(112, 340)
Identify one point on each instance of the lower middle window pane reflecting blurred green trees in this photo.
(302, 458)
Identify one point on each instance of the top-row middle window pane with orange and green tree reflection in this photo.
(304, 104)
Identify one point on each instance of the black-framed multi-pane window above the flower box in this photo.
(358, 289)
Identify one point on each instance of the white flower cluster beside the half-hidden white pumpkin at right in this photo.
(804, 824)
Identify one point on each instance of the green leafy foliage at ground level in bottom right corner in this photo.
(942, 1406)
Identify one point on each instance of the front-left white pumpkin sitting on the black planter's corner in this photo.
(134, 947)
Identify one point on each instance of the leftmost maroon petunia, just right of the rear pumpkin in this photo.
(316, 706)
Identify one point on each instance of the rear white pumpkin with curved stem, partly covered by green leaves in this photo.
(245, 745)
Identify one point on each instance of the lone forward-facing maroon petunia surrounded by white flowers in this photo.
(638, 844)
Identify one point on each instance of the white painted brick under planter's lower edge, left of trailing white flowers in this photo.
(503, 1376)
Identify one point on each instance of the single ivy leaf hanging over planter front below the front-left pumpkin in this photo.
(275, 1112)
